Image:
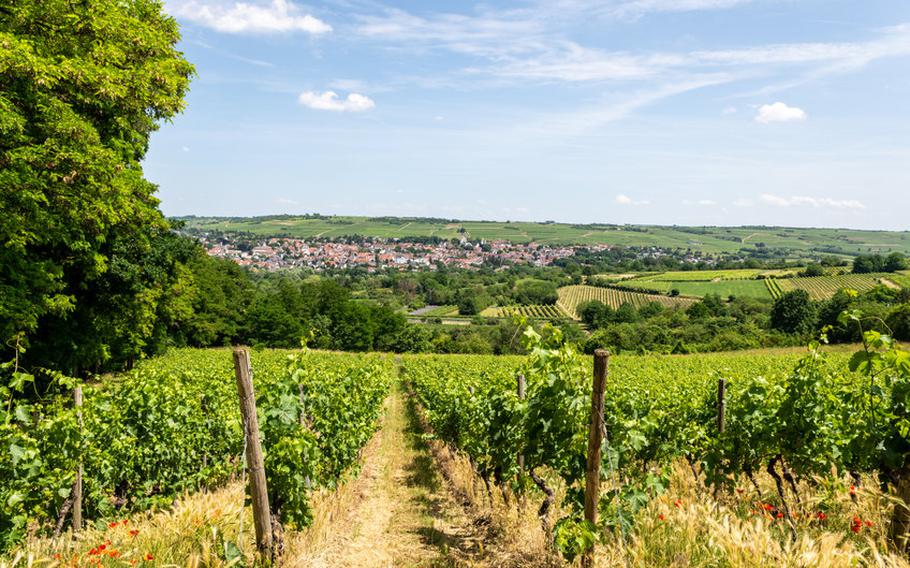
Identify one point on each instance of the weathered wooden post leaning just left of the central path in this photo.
(258, 490)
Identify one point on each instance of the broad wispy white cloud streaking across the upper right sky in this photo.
(527, 45)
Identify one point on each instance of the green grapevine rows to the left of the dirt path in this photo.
(173, 426)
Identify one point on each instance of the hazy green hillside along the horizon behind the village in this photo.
(712, 240)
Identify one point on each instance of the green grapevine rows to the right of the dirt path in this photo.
(730, 418)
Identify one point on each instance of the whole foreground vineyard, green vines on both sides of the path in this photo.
(172, 426)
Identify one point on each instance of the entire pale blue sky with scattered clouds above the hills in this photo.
(790, 112)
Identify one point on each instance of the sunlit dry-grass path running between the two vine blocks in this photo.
(401, 512)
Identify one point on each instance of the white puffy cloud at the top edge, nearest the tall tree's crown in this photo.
(279, 16)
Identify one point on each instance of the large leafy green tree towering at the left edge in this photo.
(83, 84)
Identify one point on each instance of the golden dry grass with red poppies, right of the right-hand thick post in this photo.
(688, 527)
